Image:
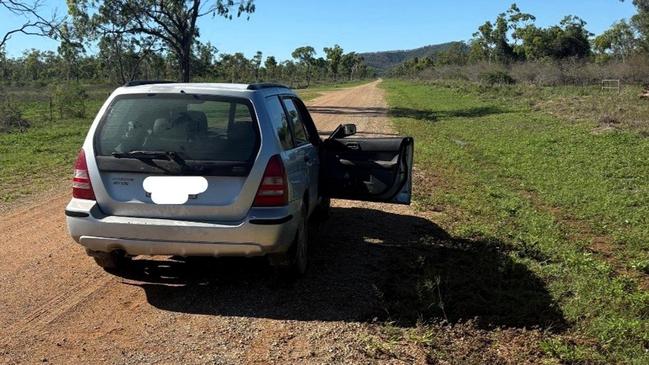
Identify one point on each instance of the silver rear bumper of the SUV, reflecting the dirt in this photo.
(263, 231)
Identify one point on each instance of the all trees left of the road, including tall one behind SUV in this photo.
(156, 39)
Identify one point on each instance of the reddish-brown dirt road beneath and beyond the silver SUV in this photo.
(57, 306)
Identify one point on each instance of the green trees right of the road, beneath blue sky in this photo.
(514, 37)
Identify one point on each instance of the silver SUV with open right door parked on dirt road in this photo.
(219, 170)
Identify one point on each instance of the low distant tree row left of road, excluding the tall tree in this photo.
(118, 63)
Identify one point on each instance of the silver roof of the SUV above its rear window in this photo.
(136, 87)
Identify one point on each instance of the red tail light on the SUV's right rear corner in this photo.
(273, 190)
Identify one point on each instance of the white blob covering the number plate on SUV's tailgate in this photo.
(174, 189)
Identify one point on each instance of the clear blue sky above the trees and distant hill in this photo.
(279, 26)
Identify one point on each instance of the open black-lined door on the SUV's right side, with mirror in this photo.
(371, 169)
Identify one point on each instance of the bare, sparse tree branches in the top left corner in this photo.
(34, 24)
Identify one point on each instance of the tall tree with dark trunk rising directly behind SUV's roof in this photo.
(171, 23)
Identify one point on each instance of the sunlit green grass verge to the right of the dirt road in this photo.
(505, 170)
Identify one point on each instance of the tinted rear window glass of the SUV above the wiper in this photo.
(196, 127)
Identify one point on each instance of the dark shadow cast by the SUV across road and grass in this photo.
(365, 265)
